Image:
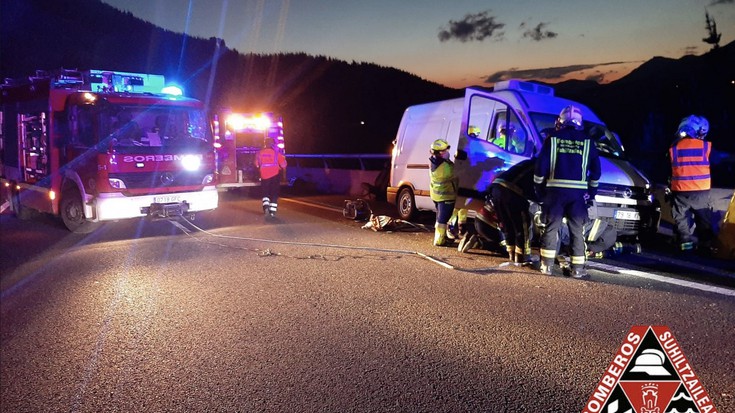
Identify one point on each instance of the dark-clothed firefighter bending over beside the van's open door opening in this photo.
(511, 192)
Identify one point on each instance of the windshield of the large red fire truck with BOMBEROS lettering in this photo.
(158, 126)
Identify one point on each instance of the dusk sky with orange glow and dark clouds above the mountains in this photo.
(460, 42)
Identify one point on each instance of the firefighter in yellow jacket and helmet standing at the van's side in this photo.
(443, 189)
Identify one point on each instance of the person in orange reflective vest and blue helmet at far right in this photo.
(690, 184)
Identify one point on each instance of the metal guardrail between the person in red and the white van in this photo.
(362, 162)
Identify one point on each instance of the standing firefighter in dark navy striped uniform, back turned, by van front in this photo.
(566, 175)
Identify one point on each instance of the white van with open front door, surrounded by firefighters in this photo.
(490, 130)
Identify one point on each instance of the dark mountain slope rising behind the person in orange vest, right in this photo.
(646, 106)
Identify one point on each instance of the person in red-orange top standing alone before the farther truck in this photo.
(271, 161)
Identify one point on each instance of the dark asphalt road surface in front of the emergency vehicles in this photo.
(312, 313)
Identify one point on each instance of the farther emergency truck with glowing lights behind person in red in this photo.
(238, 138)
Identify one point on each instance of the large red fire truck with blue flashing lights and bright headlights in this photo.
(94, 146)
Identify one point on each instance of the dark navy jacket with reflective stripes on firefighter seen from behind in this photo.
(568, 159)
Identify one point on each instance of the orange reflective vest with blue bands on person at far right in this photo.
(690, 168)
